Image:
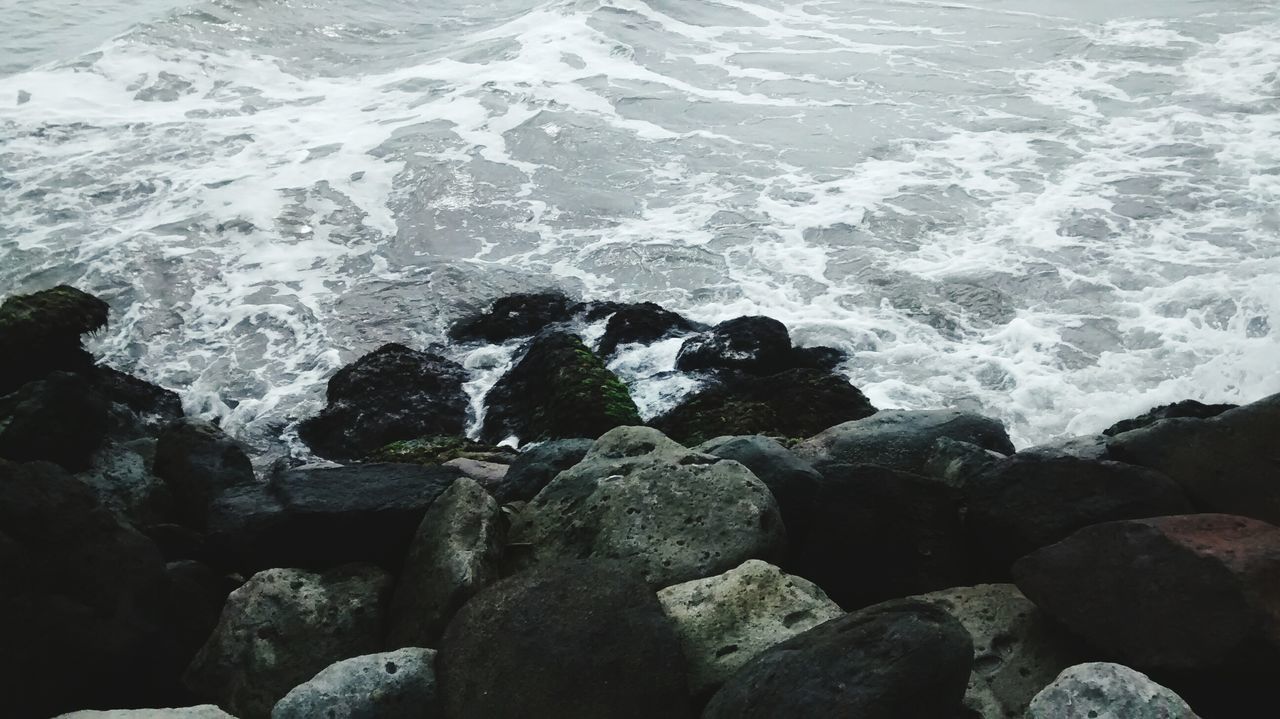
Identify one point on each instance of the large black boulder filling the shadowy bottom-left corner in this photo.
(84, 608)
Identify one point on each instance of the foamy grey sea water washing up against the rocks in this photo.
(1057, 214)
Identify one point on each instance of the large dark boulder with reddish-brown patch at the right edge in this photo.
(1190, 593)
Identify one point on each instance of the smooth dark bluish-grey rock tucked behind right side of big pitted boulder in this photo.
(793, 483)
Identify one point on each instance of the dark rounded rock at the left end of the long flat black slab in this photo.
(198, 462)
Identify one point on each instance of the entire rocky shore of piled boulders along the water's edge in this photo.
(772, 547)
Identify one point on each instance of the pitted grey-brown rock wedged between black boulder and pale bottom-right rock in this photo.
(1017, 652)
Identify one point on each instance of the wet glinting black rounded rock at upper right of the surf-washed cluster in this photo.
(758, 346)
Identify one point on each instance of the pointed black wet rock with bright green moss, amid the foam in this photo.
(557, 390)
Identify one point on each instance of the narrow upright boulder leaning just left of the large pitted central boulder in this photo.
(455, 553)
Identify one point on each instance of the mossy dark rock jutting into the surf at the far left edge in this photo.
(42, 335)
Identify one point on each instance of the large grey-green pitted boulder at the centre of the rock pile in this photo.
(653, 507)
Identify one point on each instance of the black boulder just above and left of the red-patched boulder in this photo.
(1026, 503)
